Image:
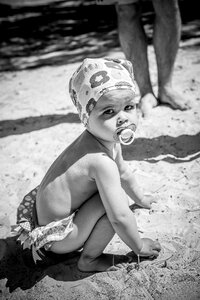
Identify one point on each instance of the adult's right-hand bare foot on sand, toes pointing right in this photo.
(173, 98)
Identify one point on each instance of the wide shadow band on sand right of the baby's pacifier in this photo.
(183, 148)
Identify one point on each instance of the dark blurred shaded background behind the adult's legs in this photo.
(61, 32)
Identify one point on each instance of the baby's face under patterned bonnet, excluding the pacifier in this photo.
(114, 110)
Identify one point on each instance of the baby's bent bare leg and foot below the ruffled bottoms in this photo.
(91, 231)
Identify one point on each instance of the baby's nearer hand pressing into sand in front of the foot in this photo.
(150, 248)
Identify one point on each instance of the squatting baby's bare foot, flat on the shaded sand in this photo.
(100, 264)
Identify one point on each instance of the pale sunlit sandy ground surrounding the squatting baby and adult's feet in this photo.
(38, 121)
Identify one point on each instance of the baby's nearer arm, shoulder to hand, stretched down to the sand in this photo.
(106, 174)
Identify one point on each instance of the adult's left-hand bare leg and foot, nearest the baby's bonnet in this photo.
(134, 45)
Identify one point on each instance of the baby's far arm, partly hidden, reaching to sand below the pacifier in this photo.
(130, 184)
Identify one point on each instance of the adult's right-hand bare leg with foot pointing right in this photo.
(166, 38)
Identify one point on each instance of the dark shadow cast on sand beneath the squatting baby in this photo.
(18, 267)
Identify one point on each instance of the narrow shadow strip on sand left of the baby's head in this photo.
(29, 124)
